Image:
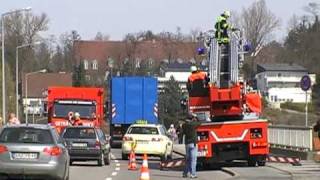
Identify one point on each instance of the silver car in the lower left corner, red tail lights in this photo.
(34, 151)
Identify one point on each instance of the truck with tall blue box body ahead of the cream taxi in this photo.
(132, 99)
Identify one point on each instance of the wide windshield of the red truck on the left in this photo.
(86, 111)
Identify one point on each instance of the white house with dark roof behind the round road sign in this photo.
(281, 82)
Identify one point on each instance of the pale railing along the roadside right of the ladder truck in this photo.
(296, 138)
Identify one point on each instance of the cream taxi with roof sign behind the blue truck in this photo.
(150, 139)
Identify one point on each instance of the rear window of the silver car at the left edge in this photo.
(26, 135)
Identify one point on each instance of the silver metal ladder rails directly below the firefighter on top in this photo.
(224, 62)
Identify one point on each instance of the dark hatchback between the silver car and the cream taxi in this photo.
(87, 143)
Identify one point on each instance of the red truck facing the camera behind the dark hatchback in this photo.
(64, 102)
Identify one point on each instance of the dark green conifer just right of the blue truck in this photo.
(169, 103)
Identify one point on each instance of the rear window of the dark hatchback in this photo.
(80, 133)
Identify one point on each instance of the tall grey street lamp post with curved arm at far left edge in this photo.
(3, 59)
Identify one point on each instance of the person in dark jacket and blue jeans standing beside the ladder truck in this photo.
(190, 132)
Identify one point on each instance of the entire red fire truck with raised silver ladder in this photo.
(231, 128)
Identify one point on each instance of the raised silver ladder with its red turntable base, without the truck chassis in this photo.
(228, 97)
